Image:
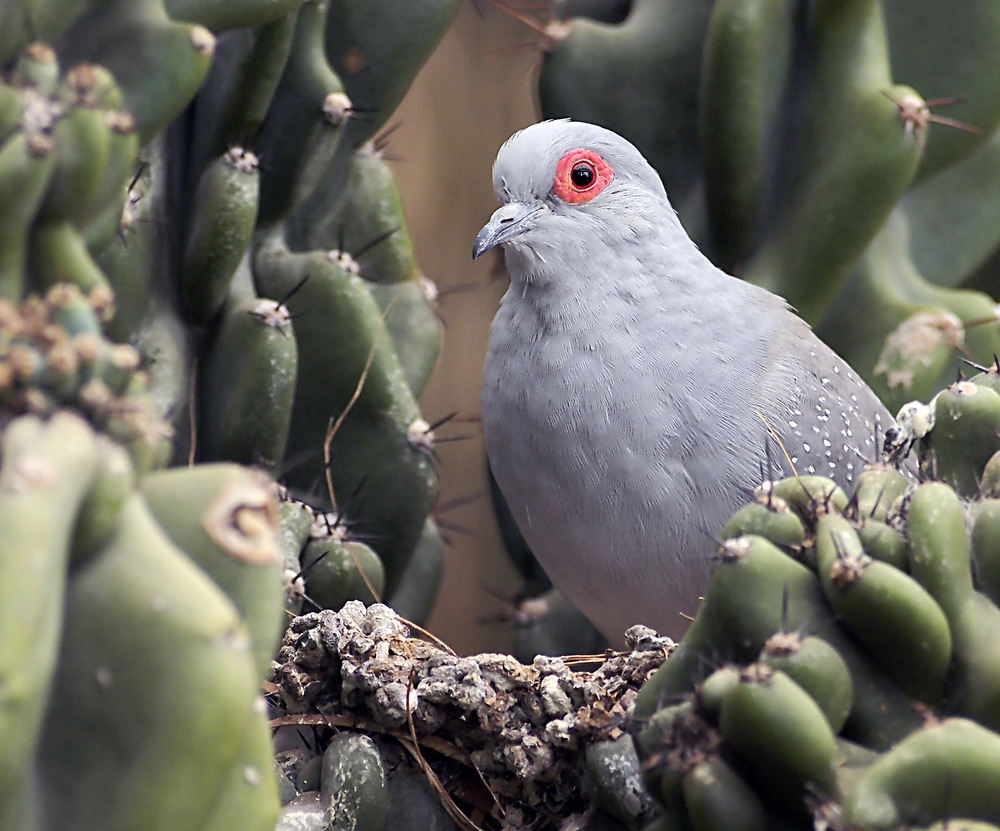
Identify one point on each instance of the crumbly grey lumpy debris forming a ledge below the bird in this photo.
(523, 726)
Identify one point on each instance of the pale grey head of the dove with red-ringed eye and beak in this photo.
(566, 186)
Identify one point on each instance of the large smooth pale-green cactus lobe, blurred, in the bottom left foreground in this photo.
(149, 642)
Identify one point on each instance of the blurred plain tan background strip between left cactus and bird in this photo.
(474, 92)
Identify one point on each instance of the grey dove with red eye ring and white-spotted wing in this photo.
(631, 388)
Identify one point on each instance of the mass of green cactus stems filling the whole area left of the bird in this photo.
(172, 343)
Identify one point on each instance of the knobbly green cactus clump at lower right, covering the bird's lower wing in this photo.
(900, 668)
